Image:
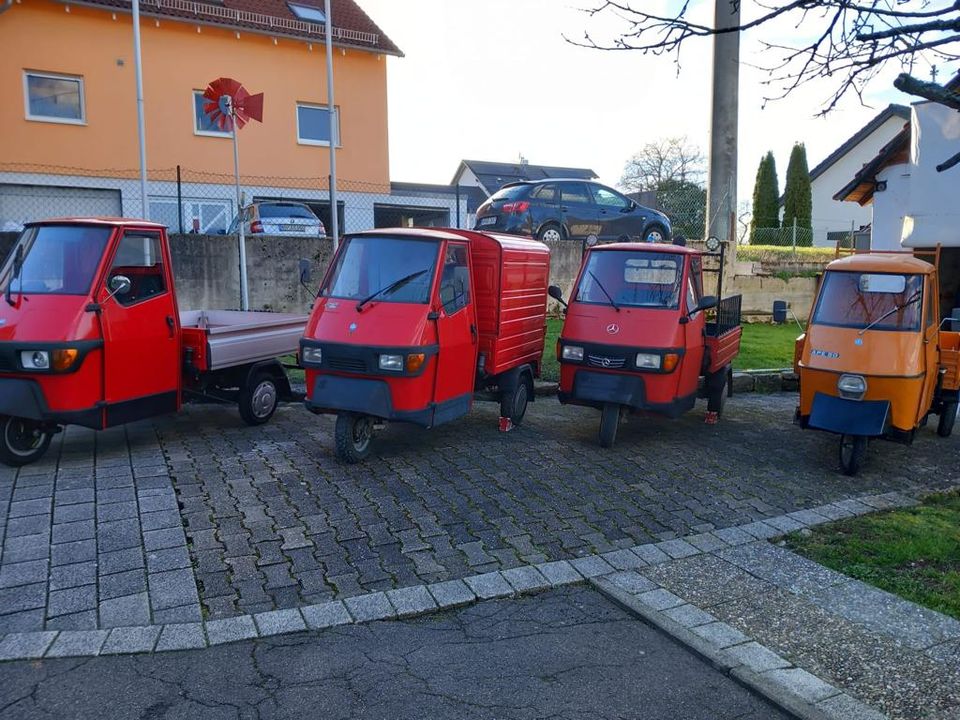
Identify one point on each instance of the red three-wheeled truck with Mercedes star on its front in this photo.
(637, 338)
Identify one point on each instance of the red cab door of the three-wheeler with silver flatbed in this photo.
(140, 329)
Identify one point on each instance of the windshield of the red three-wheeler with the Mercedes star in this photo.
(631, 278)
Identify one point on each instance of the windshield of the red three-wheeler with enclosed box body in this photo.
(367, 265)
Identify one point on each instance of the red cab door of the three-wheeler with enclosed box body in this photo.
(456, 335)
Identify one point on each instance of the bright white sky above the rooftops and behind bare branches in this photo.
(496, 79)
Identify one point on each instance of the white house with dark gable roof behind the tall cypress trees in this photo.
(829, 215)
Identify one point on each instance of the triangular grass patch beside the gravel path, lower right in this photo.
(913, 553)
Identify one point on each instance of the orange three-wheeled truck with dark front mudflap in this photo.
(874, 361)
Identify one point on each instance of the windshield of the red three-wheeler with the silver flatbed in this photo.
(57, 259)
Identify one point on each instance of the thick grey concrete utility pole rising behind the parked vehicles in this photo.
(722, 184)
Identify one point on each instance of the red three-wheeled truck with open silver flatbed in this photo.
(91, 335)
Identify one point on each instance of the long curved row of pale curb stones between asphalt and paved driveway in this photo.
(419, 600)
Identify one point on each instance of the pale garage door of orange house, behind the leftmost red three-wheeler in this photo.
(22, 203)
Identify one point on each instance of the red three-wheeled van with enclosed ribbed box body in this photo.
(410, 323)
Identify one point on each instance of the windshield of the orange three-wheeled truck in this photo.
(857, 300)
